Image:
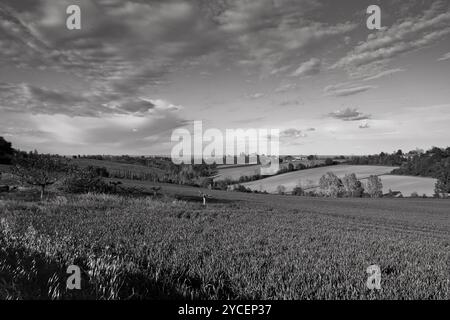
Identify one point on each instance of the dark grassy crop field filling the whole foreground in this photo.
(240, 246)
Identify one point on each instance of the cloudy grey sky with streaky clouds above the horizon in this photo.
(138, 70)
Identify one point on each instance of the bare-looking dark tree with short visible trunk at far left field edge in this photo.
(39, 170)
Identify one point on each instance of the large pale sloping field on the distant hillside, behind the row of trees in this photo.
(309, 178)
